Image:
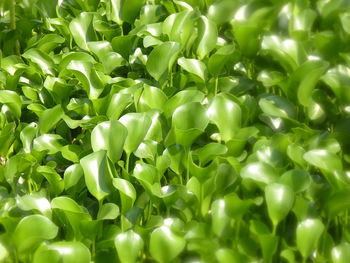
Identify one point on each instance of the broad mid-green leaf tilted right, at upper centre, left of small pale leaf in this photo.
(161, 59)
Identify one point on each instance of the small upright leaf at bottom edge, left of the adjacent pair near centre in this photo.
(129, 246)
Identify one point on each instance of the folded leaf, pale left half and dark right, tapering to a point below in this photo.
(97, 174)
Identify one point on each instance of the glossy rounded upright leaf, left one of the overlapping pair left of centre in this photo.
(109, 136)
